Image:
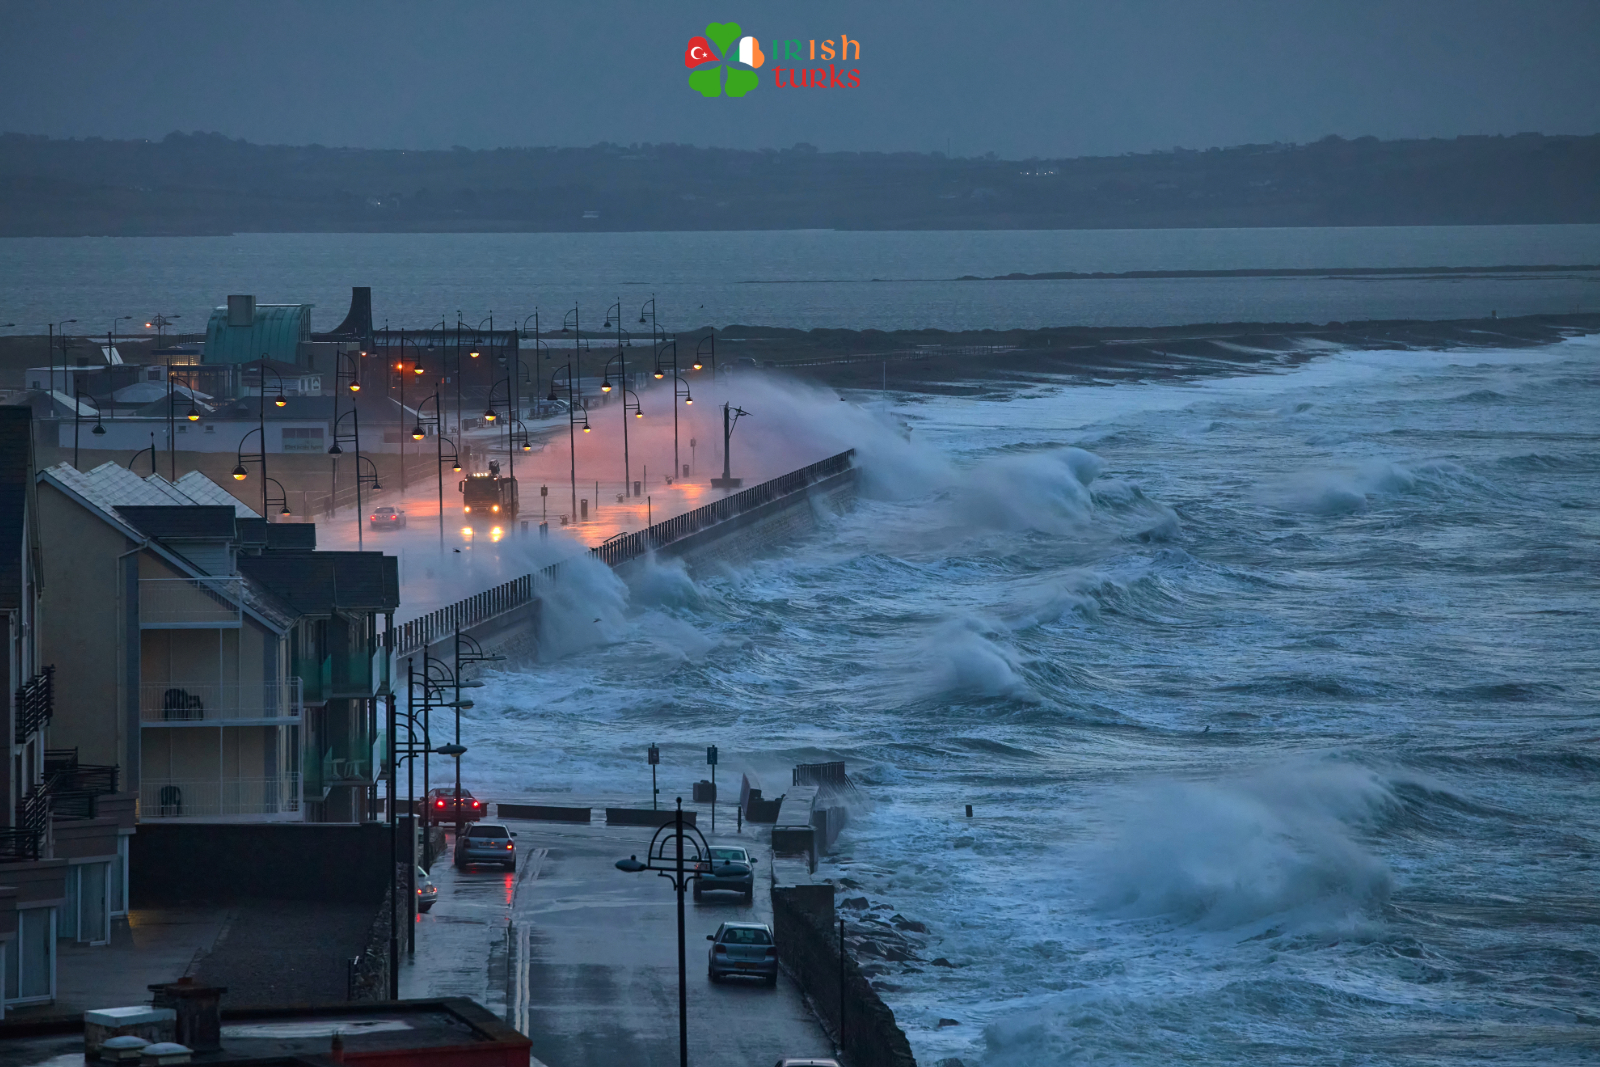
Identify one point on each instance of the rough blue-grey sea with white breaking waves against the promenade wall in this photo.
(1274, 697)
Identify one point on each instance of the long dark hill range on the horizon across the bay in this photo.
(210, 185)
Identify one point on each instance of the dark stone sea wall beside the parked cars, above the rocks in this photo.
(809, 951)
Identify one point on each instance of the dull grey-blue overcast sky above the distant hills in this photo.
(1050, 78)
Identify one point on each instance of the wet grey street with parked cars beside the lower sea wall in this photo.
(583, 957)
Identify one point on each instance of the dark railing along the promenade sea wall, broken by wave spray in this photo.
(423, 631)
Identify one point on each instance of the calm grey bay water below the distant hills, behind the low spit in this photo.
(807, 279)
